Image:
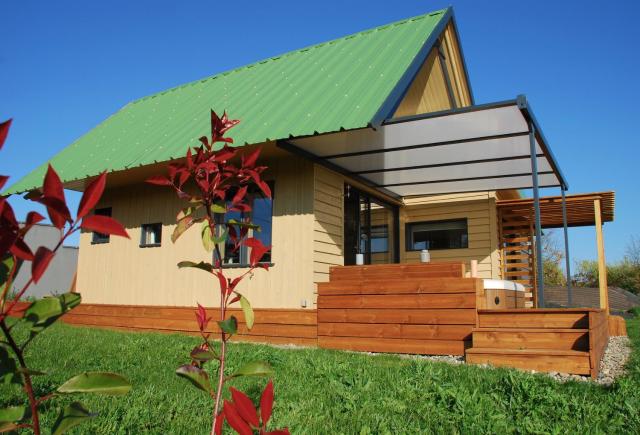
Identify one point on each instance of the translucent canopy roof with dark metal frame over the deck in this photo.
(477, 148)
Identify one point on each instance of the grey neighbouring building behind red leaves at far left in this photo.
(60, 276)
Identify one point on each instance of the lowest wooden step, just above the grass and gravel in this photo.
(543, 360)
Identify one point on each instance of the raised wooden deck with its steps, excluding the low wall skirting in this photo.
(433, 309)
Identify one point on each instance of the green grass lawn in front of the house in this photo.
(321, 391)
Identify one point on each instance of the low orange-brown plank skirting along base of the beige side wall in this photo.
(296, 326)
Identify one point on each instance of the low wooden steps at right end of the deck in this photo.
(566, 340)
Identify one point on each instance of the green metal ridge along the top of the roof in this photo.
(288, 53)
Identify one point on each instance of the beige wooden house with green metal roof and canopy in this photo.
(375, 146)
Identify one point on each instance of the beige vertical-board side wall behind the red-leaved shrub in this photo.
(121, 272)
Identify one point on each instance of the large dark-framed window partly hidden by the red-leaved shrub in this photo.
(261, 214)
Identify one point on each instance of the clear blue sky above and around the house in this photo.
(67, 65)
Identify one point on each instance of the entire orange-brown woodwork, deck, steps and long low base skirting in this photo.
(413, 308)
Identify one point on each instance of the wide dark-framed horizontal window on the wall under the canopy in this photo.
(451, 234)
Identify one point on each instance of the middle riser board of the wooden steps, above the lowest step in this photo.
(532, 340)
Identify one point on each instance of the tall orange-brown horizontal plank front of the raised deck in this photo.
(420, 309)
